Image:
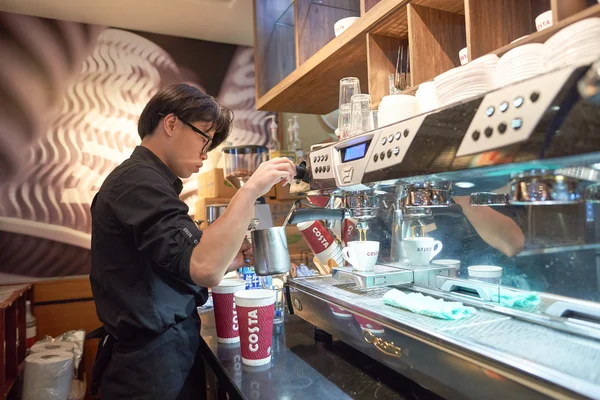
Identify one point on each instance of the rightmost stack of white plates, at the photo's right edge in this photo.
(577, 44)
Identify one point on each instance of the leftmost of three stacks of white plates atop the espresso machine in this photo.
(462, 83)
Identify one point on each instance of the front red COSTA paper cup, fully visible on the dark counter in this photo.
(256, 309)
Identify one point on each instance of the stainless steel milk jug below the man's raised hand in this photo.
(270, 251)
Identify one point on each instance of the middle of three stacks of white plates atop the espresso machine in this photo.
(520, 63)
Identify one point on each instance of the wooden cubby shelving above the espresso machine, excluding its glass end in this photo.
(432, 30)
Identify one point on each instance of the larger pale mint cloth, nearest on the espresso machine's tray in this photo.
(426, 305)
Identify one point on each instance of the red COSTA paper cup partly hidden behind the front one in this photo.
(226, 318)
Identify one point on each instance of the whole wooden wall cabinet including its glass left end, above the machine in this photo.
(299, 61)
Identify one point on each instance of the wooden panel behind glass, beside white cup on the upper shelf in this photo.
(315, 24)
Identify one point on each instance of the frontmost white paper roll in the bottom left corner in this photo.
(48, 375)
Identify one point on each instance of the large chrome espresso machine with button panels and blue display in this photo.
(510, 178)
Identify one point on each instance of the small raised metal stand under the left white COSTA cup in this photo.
(382, 275)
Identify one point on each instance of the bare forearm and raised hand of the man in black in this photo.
(221, 241)
